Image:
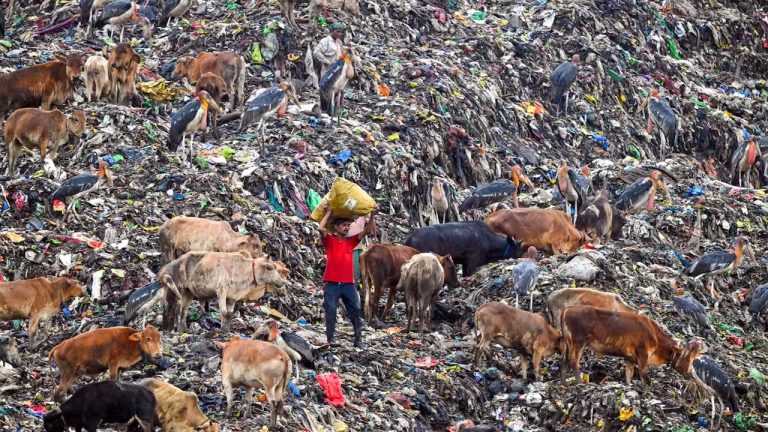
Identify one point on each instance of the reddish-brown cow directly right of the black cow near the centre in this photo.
(547, 230)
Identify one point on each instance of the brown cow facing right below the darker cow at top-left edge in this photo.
(44, 130)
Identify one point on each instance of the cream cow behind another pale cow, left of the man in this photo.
(183, 234)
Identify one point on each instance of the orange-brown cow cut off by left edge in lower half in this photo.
(36, 299)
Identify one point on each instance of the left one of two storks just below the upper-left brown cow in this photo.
(192, 117)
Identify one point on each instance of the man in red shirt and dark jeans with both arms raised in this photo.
(339, 274)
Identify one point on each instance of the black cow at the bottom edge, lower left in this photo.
(96, 404)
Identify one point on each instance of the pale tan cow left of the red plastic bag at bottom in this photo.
(255, 364)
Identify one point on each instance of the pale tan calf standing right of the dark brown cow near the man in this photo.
(421, 278)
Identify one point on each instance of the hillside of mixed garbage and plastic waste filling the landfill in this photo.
(455, 92)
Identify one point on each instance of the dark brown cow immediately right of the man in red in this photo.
(380, 268)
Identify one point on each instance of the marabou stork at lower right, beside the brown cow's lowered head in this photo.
(711, 378)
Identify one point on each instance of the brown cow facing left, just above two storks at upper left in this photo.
(228, 65)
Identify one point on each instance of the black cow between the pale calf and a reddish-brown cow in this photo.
(471, 244)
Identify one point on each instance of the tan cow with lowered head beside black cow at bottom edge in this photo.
(178, 410)
